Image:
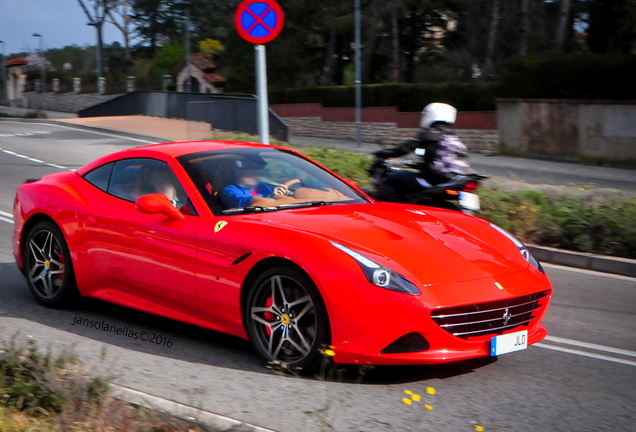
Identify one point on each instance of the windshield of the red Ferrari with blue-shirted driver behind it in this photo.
(250, 180)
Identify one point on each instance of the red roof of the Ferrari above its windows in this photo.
(173, 150)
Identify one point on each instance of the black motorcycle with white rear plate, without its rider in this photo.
(460, 188)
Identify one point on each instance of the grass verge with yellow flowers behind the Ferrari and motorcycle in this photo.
(592, 221)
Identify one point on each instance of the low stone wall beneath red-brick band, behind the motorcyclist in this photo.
(388, 133)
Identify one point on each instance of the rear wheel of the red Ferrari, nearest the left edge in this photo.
(47, 266)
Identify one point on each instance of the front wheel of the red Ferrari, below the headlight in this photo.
(296, 334)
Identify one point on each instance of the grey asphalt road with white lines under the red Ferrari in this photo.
(584, 381)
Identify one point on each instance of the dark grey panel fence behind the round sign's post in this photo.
(230, 112)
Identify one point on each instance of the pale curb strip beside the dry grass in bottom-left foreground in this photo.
(183, 411)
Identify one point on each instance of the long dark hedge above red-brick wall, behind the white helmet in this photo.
(407, 97)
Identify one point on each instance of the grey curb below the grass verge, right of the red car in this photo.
(600, 263)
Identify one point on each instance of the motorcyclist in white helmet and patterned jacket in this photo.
(441, 155)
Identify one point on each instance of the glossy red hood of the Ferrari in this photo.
(415, 241)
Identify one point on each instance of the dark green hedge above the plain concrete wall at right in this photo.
(570, 76)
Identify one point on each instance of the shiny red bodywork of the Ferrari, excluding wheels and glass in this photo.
(186, 271)
